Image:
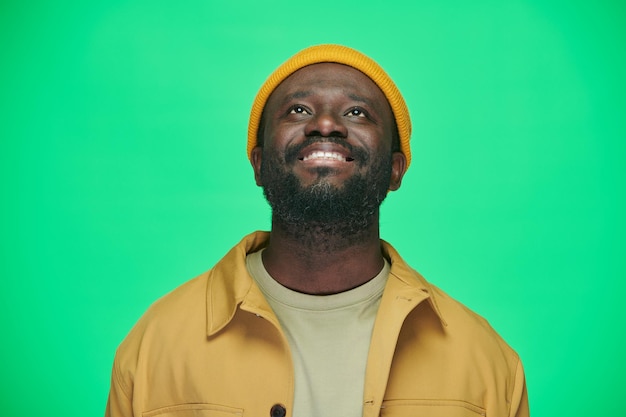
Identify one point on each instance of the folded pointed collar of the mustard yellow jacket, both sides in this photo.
(229, 284)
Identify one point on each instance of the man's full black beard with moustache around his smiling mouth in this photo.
(322, 213)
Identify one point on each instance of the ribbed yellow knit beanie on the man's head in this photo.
(340, 55)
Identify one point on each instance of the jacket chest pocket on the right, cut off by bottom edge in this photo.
(430, 408)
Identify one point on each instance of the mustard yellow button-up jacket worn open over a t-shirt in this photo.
(214, 348)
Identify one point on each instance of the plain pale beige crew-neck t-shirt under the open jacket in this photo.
(329, 337)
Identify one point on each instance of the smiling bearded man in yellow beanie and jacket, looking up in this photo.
(319, 317)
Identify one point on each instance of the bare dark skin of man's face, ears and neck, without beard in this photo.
(326, 100)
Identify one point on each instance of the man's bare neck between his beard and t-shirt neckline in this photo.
(317, 259)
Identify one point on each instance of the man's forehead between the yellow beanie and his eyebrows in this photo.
(339, 77)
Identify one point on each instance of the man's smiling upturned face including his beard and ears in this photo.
(327, 136)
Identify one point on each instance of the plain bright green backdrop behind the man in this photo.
(123, 173)
